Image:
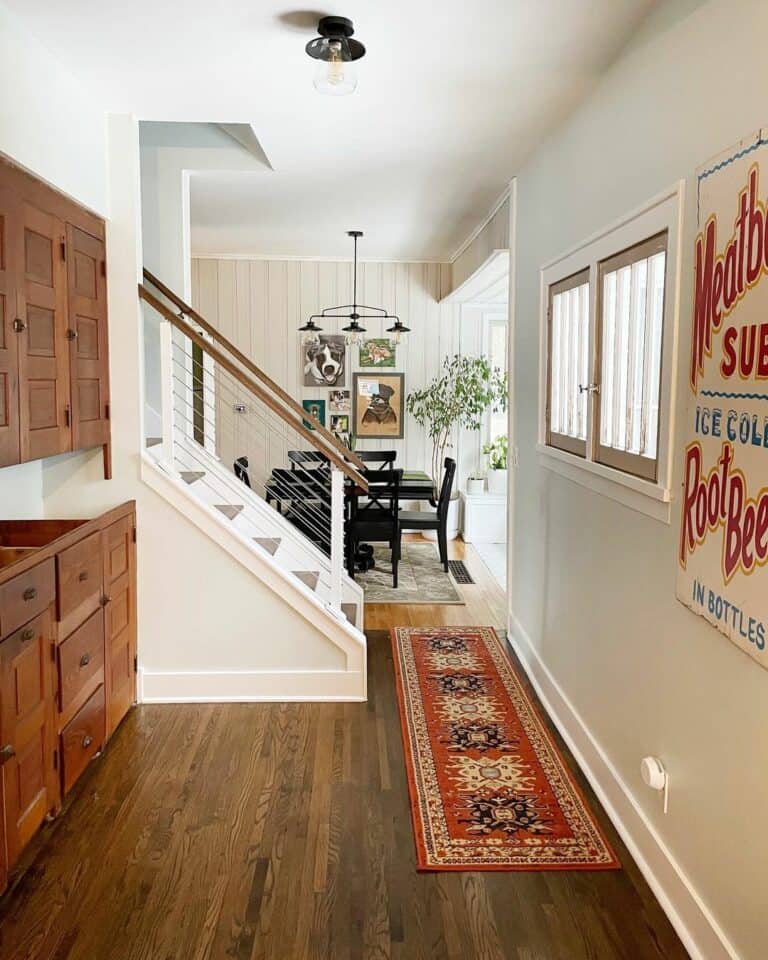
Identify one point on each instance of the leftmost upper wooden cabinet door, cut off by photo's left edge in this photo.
(9, 351)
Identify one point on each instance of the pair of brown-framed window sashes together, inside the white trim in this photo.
(604, 370)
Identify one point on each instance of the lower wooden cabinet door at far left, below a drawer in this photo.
(26, 731)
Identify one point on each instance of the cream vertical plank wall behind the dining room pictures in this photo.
(259, 305)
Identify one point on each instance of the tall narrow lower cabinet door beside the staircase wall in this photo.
(120, 619)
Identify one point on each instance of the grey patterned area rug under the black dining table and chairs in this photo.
(421, 578)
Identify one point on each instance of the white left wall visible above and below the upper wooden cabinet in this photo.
(54, 127)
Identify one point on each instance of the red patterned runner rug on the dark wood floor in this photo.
(488, 787)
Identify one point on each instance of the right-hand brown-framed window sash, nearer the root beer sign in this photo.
(630, 321)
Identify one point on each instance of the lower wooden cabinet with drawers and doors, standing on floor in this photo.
(67, 659)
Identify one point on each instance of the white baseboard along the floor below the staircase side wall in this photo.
(254, 685)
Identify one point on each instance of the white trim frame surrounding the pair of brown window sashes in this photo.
(663, 213)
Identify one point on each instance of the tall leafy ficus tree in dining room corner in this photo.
(457, 398)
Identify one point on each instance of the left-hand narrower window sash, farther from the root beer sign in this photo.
(567, 409)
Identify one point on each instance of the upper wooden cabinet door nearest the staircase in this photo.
(89, 362)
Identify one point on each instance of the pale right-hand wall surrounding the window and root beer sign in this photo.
(594, 584)
